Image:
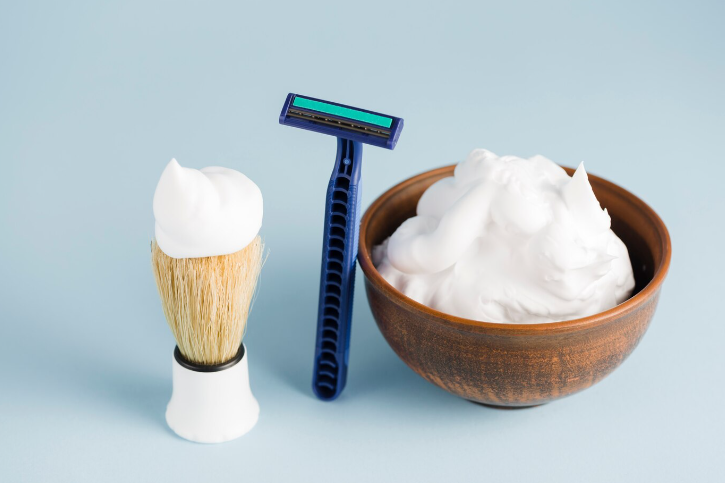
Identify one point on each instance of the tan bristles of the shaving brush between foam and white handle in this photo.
(206, 301)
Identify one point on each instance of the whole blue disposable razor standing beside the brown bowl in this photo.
(353, 127)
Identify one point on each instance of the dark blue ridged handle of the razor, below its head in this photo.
(337, 280)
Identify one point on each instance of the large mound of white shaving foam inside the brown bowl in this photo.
(512, 240)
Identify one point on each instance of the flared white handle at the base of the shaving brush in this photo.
(212, 407)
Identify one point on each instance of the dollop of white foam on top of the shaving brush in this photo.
(207, 212)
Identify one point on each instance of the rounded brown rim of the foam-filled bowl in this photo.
(373, 276)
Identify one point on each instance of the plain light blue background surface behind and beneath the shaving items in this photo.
(95, 99)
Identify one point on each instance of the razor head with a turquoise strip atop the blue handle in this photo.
(341, 121)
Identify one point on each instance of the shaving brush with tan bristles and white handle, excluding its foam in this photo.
(206, 302)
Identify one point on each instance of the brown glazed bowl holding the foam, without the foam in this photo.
(516, 365)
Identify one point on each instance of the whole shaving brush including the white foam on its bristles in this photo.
(206, 259)
